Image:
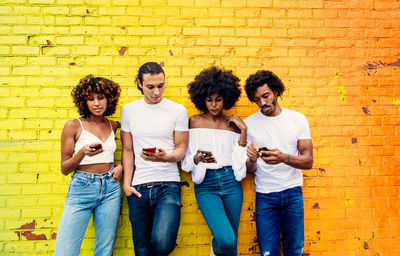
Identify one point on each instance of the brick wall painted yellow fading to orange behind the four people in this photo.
(340, 61)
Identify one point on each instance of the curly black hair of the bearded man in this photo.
(260, 78)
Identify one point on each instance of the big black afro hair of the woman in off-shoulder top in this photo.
(214, 80)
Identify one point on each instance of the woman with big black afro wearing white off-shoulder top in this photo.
(216, 155)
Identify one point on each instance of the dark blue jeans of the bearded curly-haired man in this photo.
(280, 212)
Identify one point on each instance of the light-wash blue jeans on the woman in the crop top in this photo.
(97, 194)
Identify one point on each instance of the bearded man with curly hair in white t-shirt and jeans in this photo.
(285, 136)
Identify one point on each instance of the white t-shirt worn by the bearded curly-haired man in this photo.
(281, 132)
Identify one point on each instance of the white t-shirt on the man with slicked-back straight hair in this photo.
(153, 125)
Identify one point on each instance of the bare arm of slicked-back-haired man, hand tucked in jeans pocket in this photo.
(128, 160)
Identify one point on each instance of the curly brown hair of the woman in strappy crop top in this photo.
(99, 85)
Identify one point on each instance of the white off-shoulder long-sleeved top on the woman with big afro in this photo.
(225, 148)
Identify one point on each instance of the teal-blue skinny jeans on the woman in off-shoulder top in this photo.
(220, 199)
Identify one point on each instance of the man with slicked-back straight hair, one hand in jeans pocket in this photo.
(154, 134)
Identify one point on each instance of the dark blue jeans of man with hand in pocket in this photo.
(155, 217)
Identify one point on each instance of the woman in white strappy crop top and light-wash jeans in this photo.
(87, 150)
